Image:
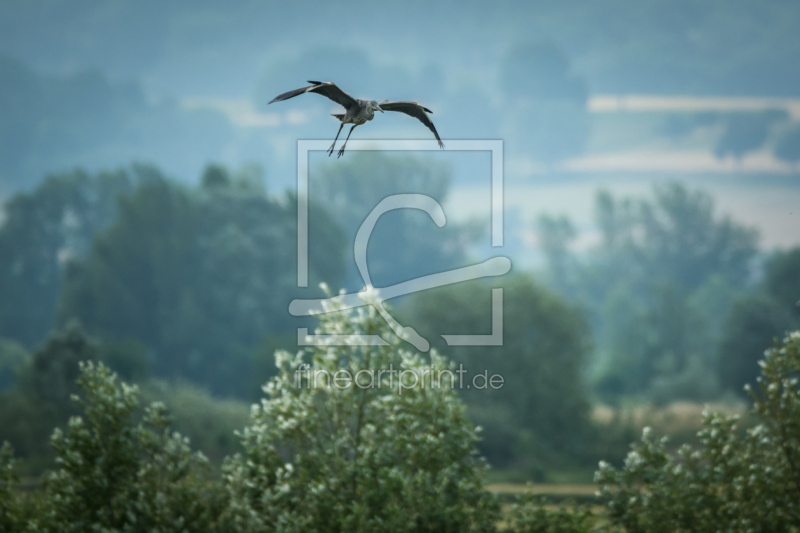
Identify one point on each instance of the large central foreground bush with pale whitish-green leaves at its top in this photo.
(365, 457)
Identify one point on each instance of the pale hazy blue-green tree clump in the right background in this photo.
(657, 289)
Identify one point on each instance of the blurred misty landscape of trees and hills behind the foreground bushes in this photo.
(652, 165)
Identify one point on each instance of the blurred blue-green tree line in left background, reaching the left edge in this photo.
(199, 276)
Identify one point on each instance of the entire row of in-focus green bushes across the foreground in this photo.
(375, 456)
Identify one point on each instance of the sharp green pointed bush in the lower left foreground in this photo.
(117, 476)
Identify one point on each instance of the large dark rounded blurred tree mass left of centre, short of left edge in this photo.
(198, 276)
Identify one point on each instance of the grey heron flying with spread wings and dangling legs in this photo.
(357, 111)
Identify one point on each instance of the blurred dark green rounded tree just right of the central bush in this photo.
(538, 420)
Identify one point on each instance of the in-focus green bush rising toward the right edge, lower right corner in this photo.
(733, 481)
